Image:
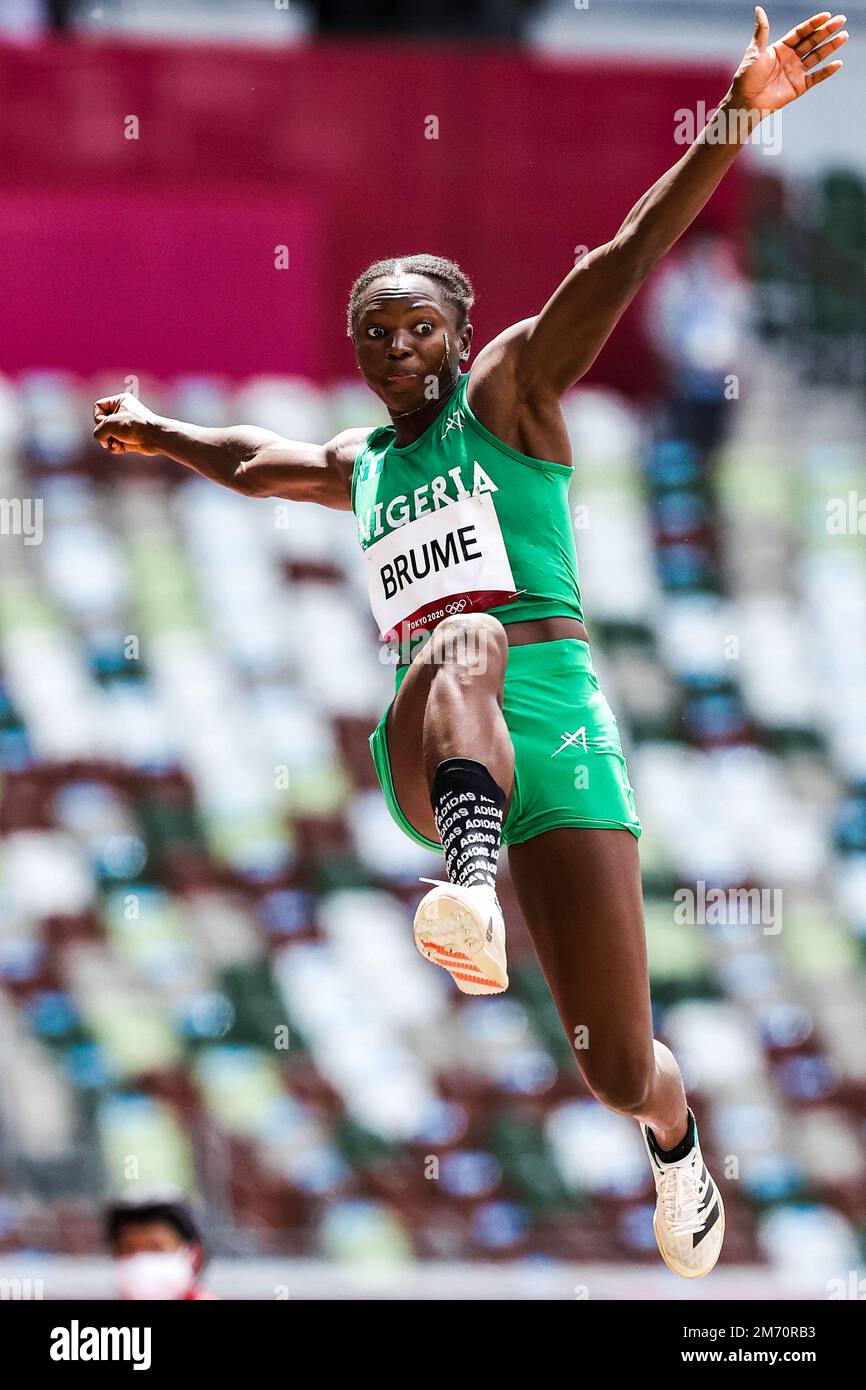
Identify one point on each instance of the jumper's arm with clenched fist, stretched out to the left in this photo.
(255, 462)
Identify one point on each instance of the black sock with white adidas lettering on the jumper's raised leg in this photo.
(468, 808)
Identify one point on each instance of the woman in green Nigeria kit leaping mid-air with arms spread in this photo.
(498, 730)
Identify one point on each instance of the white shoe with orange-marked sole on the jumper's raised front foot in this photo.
(464, 931)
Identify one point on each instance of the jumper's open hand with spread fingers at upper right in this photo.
(775, 74)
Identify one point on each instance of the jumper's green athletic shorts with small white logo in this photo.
(569, 765)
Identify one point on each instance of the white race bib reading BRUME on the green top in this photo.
(446, 562)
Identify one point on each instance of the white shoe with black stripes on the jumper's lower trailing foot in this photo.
(689, 1224)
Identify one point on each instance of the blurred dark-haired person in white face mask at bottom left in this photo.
(158, 1250)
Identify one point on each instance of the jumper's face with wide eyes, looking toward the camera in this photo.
(408, 341)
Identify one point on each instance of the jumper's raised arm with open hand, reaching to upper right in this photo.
(553, 351)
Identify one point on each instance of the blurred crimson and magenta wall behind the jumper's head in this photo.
(158, 254)
